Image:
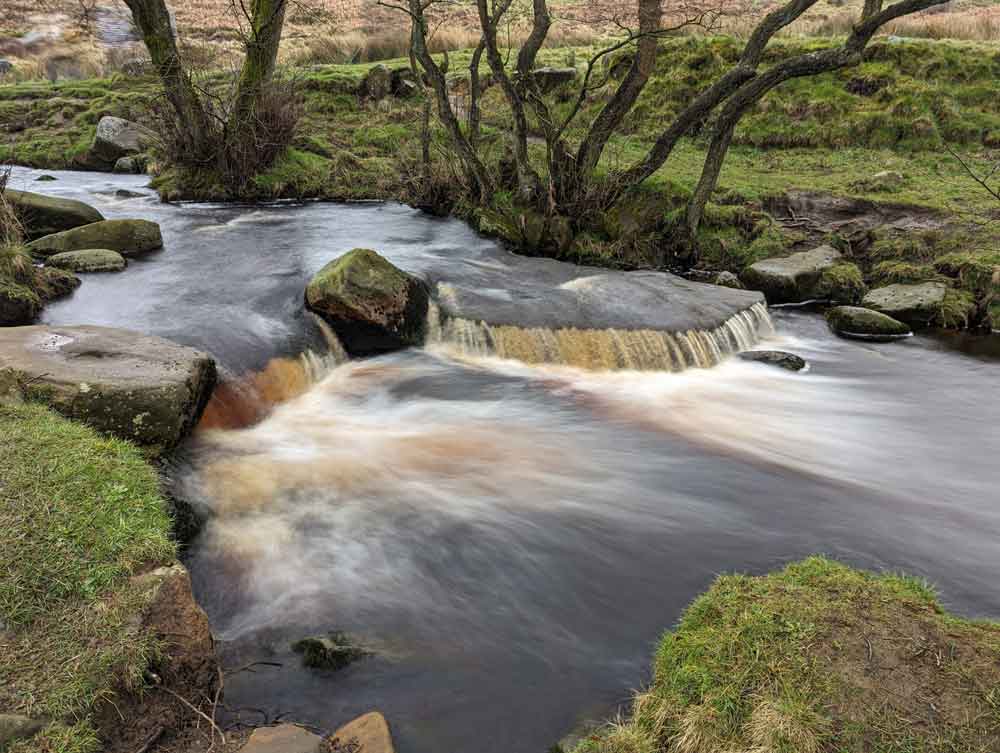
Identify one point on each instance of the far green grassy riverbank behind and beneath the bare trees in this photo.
(873, 137)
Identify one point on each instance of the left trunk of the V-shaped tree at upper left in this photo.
(153, 21)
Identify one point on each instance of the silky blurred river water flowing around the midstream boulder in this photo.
(510, 538)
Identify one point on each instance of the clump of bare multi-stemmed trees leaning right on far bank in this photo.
(570, 187)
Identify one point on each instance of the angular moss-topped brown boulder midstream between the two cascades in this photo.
(373, 306)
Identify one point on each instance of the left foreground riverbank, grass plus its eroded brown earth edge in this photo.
(98, 629)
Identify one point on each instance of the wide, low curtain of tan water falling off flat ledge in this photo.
(603, 349)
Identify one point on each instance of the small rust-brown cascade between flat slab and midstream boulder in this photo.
(244, 400)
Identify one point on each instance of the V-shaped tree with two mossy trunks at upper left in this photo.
(230, 139)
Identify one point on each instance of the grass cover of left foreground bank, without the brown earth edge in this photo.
(79, 515)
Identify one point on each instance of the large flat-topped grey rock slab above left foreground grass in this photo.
(141, 388)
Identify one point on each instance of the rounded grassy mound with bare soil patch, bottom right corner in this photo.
(817, 658)
